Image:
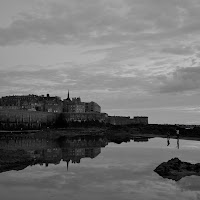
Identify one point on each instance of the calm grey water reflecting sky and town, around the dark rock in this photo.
(93, 169)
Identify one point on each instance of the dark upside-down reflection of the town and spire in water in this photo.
(45, 152)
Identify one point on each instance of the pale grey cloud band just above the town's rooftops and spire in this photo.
(64, 76)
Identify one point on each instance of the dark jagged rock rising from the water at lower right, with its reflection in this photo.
(175, 169)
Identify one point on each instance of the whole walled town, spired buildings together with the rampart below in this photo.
(18, 110)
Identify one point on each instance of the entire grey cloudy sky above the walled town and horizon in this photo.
(133, 57)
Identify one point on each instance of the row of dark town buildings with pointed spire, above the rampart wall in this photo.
(48, 103)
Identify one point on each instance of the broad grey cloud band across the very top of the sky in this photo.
(61, 22)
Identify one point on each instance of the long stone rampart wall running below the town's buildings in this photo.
(21, 119)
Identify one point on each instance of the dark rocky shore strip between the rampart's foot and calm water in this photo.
(116, 134)
